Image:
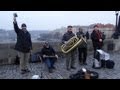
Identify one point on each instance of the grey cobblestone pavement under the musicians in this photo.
(12, 71)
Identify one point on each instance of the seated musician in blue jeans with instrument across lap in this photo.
(49, 56)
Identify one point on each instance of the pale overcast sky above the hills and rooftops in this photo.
(49, 20)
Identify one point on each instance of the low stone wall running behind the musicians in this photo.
(7, 52)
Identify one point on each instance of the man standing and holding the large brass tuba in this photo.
(70, 57)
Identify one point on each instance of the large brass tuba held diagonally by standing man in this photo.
(73, 43)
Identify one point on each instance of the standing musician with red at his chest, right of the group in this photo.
(97, 39)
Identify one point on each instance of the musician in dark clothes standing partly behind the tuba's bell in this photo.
(82, 50)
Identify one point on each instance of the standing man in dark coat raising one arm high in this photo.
(23, 45)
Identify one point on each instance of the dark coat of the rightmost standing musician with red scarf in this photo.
(95, 40)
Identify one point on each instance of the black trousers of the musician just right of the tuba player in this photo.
(82, 54)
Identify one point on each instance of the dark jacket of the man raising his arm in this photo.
(24, 43)
